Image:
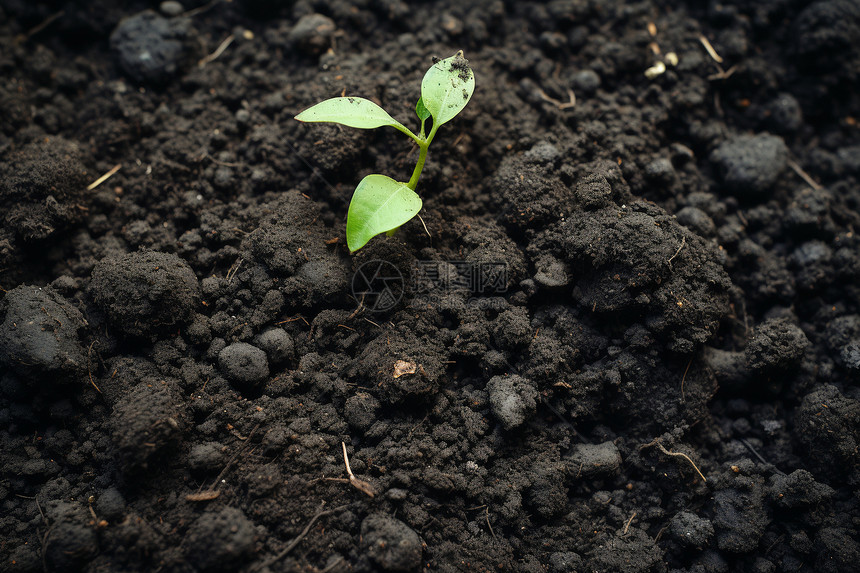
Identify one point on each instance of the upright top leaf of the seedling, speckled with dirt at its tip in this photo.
(447, 88)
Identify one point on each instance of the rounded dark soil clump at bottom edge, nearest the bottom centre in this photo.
(391, 544)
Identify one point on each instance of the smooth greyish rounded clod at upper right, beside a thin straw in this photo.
(750, 164)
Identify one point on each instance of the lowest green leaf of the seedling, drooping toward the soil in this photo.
(378, 205)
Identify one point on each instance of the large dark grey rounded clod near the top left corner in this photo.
(152, 49)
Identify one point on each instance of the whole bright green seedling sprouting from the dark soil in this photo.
(379, 203)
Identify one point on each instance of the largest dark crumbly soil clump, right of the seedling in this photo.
(669, 274)
